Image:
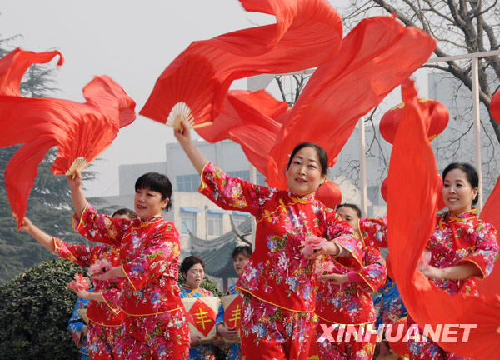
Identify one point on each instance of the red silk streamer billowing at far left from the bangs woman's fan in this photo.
(77, 129)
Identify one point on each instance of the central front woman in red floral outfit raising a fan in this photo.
(279, 281)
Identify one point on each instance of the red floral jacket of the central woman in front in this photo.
(277, 272)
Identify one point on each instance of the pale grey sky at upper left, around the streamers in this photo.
(131, 41)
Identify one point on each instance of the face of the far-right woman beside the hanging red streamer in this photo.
(458, 193)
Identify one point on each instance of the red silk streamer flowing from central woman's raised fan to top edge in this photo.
(307, 33)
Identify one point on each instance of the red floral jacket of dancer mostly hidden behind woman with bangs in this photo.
(98, 312)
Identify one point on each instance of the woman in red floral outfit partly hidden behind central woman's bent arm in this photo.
(344, 297)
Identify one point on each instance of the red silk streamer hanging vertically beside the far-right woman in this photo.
(411, 221)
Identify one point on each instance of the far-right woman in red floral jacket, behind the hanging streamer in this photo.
(463, 248)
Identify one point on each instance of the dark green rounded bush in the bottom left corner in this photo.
(36, 307)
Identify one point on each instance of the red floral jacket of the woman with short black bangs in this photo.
(149, 253)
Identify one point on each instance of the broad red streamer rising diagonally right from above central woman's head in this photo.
(375, 57)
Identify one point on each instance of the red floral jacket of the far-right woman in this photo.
(461, 240)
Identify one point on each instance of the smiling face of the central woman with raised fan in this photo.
(304, 173)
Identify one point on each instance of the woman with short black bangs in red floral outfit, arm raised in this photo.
(155, 325)
